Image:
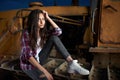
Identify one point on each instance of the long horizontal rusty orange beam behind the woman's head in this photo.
(52, 10)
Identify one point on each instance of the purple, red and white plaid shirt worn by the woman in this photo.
(27, 52)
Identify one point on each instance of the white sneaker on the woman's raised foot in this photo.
(75, 67)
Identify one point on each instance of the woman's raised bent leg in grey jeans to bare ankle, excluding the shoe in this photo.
(54, 40)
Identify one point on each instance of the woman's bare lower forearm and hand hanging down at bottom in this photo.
(41, 68)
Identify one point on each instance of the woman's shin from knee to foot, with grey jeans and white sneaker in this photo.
(73, 66)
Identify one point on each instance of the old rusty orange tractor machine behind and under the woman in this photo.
(90, 34)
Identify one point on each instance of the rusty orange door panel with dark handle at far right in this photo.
(109, 35)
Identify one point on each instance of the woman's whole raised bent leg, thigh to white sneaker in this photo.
(73, 65)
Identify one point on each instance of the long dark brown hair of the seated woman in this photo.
(32, 24)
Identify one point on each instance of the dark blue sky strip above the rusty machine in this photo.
(17, 4)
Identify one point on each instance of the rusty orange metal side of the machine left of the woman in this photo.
(9, 38)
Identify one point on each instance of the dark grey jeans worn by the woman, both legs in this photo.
(52, 40)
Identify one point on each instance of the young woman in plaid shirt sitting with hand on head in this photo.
(37, 43)
